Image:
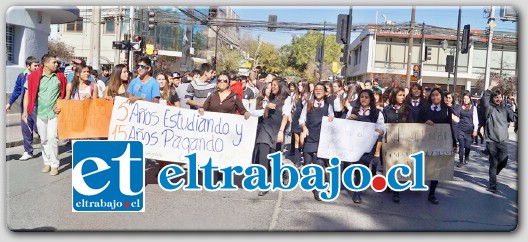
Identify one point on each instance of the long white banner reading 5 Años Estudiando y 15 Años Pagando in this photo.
(170, 133)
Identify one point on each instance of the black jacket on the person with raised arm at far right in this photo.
(498, 119)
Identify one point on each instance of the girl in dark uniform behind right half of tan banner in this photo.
(435, 111)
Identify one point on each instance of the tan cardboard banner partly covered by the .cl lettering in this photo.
(435, 141)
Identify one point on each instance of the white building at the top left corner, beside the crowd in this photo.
(27, 31)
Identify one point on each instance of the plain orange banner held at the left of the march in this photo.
(84, 119)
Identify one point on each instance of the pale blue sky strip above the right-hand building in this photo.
(443, 16)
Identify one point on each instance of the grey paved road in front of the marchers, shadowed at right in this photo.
(37, 201)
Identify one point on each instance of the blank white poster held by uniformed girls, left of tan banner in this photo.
(346, 139)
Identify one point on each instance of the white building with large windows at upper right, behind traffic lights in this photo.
(383, 52)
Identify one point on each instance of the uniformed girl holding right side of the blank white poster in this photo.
(365, 111)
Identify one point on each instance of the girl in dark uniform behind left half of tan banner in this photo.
(396, 112)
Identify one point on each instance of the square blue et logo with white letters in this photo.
(108, 176)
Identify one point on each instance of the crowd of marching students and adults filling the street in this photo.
(284, 109)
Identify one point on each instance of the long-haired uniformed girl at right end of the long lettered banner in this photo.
(274, 120)
